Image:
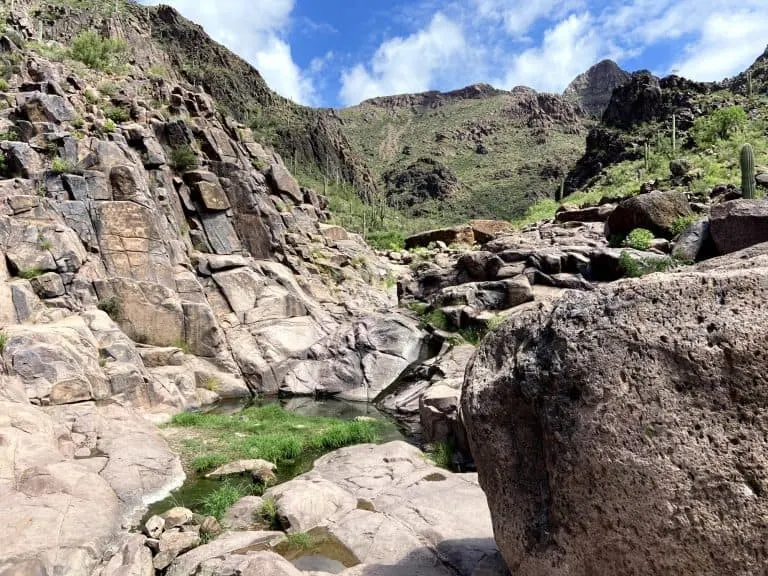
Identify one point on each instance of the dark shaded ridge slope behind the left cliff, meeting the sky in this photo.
(164, 40)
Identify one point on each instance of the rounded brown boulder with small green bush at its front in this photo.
(655, 211)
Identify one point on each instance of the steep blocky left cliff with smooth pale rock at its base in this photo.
(155, 258)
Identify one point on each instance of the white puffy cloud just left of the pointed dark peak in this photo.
(565, 52)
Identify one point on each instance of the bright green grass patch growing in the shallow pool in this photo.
(268, 432)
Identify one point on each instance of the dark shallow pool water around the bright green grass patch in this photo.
(197, 487)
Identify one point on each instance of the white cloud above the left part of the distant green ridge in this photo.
(408, 64)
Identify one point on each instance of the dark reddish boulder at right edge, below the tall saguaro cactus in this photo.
(738, 224)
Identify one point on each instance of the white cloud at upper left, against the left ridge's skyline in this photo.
(257, 35)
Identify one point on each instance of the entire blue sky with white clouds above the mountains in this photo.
(339, 52)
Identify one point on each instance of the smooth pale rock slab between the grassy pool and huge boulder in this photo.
(389, 509)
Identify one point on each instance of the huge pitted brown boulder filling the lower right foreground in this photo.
(623, 431)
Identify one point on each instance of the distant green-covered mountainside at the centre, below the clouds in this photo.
(497, 151)
